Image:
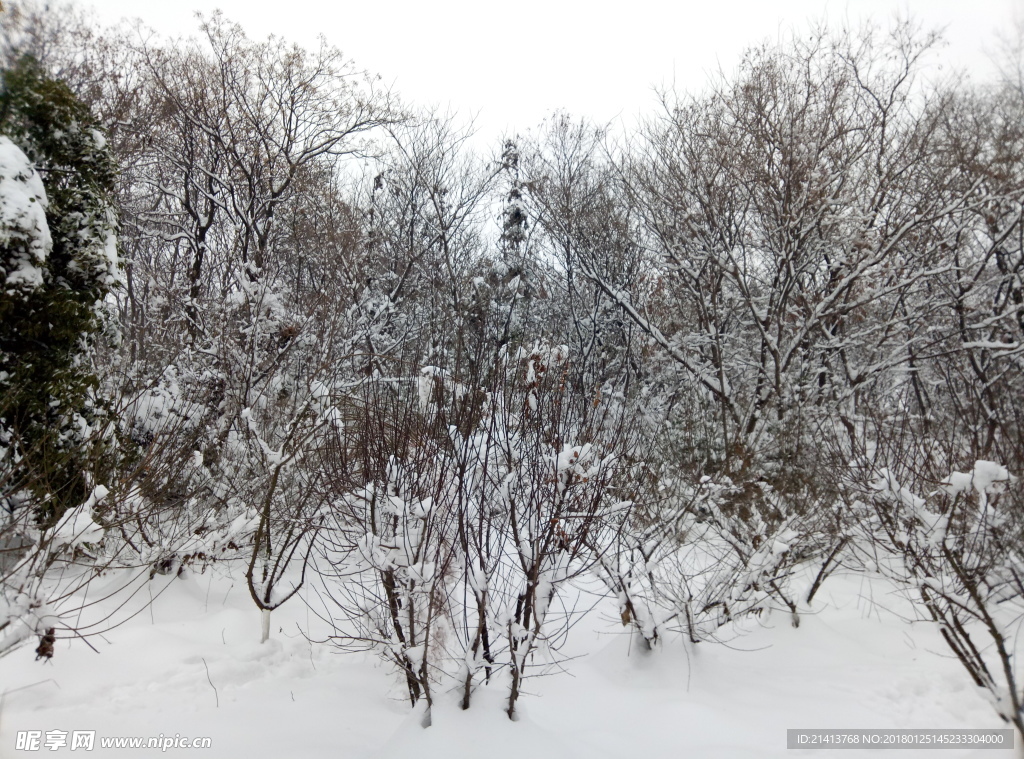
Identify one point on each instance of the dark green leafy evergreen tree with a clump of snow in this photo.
(59, 264)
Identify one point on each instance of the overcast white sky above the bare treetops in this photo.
(514, 63)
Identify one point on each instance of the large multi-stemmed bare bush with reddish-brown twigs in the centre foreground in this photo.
(454, 553)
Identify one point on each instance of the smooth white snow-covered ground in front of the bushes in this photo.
(192, 665)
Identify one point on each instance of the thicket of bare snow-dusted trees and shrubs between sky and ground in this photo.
(701, 369)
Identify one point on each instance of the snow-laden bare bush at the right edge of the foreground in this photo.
(958, 552)
